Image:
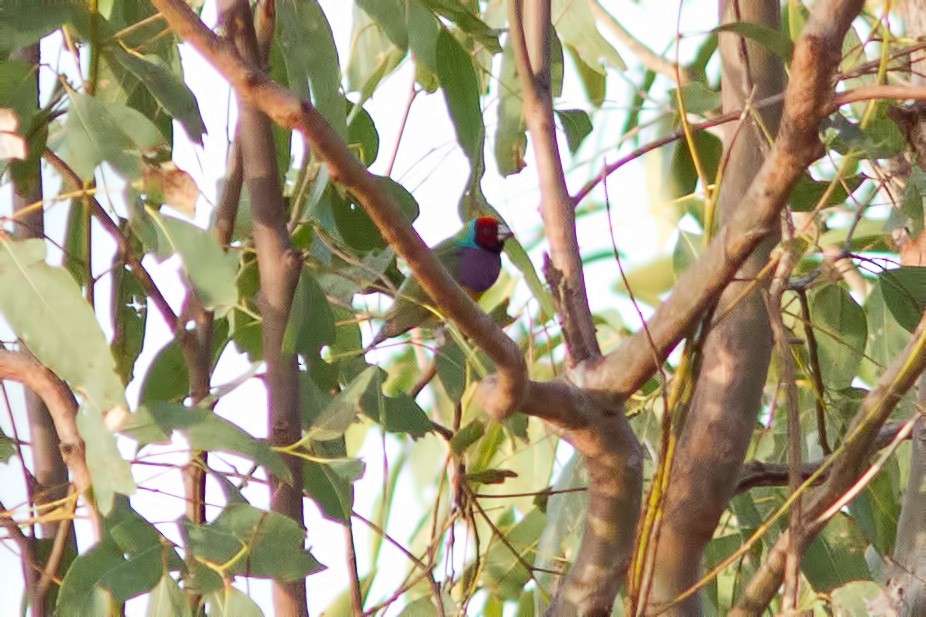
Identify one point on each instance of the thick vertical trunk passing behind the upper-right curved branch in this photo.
(737, 349)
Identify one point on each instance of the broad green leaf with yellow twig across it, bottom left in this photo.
(248, 541)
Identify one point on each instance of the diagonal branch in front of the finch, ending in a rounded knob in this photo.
(287, 110)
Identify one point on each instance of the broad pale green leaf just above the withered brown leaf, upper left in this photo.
(111, 132)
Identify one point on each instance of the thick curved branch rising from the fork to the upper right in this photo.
(808, 99)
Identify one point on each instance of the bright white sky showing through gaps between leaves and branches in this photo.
(432, 166)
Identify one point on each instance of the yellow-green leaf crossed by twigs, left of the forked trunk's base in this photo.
(504, 571)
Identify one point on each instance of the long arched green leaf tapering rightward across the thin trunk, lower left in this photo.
(206, 430)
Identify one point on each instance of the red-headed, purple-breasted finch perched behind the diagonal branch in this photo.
(473, 259)
